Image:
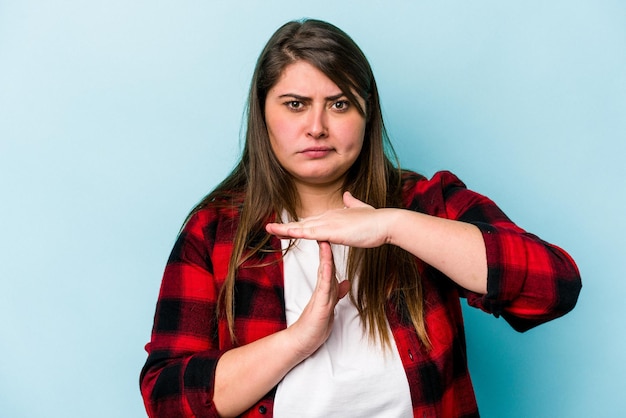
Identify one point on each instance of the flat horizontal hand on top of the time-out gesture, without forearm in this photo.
(357, 225)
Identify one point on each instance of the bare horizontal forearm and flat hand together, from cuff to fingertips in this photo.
(455, 248)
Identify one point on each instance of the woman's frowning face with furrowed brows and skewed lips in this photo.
(314, 131)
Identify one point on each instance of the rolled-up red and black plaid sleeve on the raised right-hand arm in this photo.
(529, 281)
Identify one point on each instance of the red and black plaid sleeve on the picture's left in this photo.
(178, 377)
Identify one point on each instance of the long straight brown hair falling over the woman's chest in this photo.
(261, 189)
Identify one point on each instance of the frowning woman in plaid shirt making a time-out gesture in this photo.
(320, 279)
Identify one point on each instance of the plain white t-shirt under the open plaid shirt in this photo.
(348, 376)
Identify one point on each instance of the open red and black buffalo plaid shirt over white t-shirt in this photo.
(529, 282)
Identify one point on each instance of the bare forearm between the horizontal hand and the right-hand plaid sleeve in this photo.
(455, 248)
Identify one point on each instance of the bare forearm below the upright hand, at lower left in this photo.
(245, 374)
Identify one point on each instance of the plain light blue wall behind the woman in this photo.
(116, 117)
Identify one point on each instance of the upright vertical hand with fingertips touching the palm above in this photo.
(313, 327)
